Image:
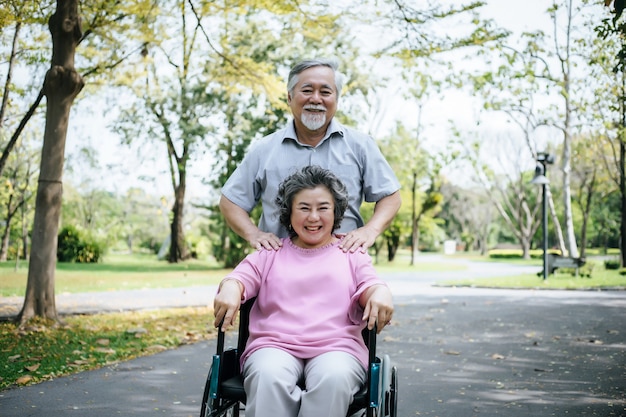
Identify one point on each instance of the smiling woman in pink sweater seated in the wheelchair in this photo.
(313, 300)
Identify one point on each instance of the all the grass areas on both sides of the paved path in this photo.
(41, 351)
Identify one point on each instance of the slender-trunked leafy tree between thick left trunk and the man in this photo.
(187, 77)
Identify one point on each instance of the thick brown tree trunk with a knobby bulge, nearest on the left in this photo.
(61, 86)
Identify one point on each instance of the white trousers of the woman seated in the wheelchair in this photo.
(271, 382)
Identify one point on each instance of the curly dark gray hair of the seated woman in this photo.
(308, 178)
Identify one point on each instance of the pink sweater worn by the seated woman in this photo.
(307, 299)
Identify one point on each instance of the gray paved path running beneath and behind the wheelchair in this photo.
(460, 352)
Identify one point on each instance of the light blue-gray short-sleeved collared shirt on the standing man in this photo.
(351, 155)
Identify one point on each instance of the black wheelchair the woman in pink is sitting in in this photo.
(224, 394)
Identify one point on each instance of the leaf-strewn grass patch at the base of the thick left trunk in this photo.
(39, 351)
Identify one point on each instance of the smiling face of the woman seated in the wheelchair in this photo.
(312, 217)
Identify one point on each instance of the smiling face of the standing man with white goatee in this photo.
(313, 101)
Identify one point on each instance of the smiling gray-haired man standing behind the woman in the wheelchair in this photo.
(313, 137)
